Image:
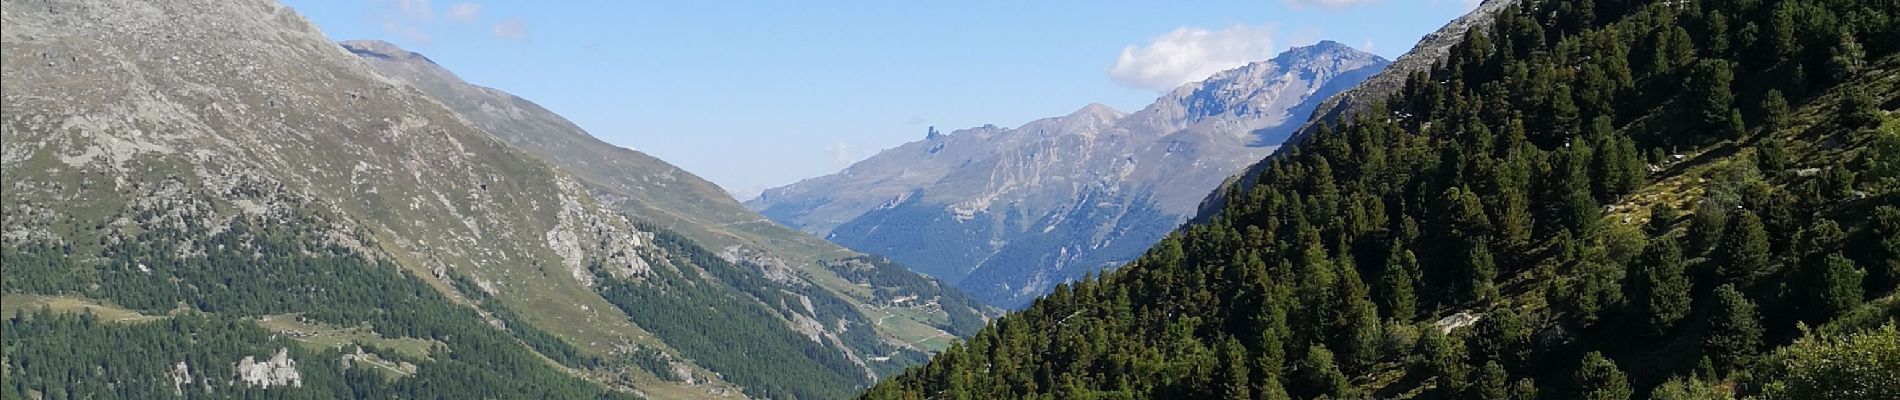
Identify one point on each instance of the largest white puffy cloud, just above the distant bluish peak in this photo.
(1190, 54)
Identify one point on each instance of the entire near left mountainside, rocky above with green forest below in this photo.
(225, 168)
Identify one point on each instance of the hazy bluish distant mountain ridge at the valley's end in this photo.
(1010, 213)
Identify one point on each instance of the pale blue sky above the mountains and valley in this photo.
(765, 94)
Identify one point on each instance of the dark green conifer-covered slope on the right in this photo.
(1587, 200)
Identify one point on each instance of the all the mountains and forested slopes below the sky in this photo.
(1546, 200)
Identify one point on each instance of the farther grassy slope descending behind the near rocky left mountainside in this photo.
(675, 200)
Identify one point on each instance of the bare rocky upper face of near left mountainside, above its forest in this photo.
(155, 126)
